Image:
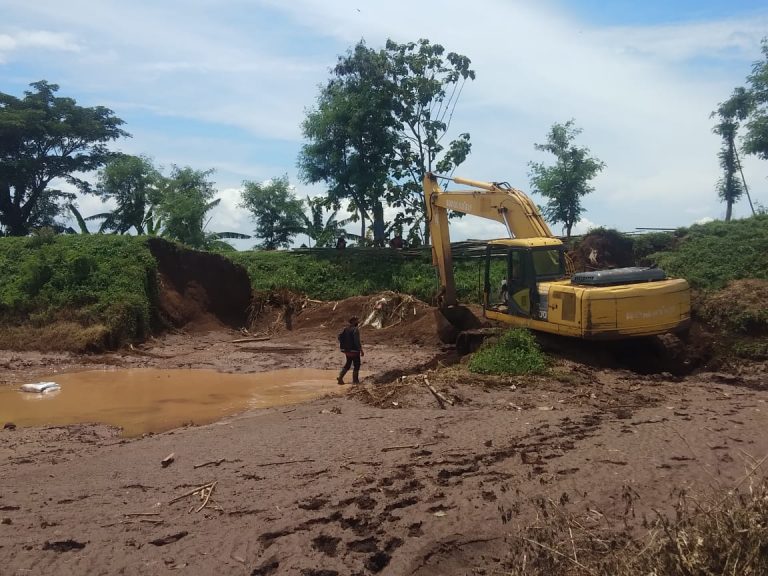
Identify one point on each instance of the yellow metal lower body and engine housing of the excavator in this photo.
(608, 312)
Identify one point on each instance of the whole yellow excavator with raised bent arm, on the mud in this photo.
(538, 289)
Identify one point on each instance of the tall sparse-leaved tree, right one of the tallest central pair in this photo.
(427, 85)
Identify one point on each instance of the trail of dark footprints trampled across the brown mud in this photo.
(363, 531)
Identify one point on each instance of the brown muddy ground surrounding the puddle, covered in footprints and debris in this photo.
(380, 480)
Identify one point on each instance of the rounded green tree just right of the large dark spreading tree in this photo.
(134, 184)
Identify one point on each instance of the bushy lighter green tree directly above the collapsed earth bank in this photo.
(186, 198)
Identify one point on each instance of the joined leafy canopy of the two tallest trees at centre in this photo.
(380, 124)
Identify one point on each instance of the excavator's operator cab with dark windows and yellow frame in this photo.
(513, 270)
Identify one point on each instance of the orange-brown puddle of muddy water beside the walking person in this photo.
(147, 400)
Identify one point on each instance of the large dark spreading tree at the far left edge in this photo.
(43, 138)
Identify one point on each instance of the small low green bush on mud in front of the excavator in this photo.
(514, 352)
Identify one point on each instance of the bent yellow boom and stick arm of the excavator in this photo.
(492, 200)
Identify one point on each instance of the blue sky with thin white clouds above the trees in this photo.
(225, 84)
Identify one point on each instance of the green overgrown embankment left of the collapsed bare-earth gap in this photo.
(87, 280)
